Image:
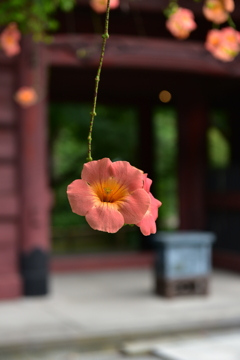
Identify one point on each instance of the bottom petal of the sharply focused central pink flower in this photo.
(105, 218)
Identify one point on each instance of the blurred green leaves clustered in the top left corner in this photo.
(33, 16)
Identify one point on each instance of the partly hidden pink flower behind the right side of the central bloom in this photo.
(147, 224)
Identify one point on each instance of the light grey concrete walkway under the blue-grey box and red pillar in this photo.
(106, 309)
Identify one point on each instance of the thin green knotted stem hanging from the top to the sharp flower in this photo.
(93, 113)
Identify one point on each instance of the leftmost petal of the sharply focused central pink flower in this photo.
(80, 197)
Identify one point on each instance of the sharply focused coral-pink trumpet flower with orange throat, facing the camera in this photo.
(109, 194)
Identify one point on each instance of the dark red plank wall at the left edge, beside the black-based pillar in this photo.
(10, 277)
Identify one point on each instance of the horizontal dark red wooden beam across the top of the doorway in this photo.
(138, 53)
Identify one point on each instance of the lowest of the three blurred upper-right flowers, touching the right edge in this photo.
(223, 44)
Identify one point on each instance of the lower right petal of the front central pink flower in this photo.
(134, 206)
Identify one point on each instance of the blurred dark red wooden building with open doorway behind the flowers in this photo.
(166, 106)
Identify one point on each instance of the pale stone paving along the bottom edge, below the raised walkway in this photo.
(224, 345)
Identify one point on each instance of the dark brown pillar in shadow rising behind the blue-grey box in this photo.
(192, 126)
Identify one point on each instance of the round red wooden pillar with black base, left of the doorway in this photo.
(35, 242)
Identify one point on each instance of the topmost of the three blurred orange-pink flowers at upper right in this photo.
(218, 10)
